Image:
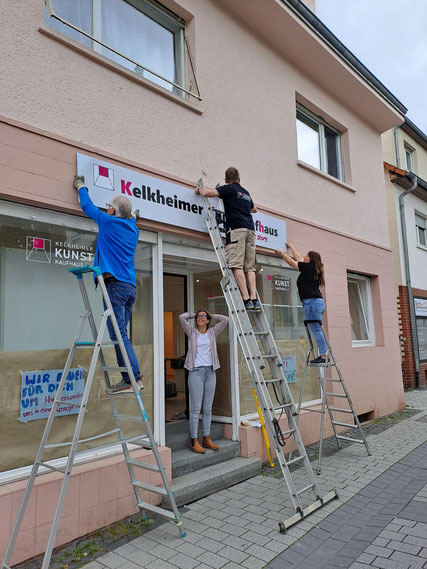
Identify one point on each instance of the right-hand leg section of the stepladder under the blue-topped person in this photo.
(130, 463)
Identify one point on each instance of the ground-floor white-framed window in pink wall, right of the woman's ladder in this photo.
(361, 313)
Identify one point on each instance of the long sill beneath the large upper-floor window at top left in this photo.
(102, 60)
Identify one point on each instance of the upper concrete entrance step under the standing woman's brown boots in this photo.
(185, 461)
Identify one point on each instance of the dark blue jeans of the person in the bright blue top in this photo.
(122, 296)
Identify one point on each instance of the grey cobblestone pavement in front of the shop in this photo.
(379, 520)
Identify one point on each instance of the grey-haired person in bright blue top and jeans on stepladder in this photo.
(115, 255)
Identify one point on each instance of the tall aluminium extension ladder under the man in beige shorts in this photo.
(249, 334)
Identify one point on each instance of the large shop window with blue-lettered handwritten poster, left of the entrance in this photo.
(40, 306)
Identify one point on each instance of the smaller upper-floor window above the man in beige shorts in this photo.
(318, 143)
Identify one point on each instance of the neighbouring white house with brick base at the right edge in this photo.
(405, 167)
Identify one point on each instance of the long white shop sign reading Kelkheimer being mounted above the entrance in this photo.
(163, 201)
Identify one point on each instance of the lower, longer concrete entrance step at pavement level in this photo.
(196, 485)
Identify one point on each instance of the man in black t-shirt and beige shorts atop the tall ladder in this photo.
(240, 234)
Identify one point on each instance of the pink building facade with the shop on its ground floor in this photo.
(229, 83)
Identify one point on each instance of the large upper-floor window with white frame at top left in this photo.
(144, 35)
